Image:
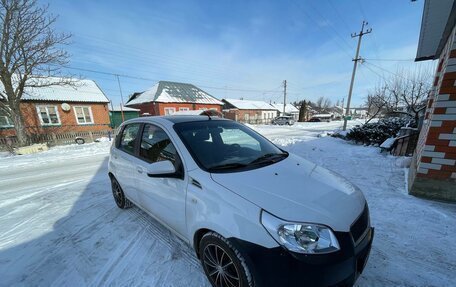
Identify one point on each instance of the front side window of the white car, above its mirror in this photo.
(156, 145)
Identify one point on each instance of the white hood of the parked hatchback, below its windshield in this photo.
(295, 189)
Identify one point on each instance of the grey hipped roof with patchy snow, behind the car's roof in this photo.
(172, 92)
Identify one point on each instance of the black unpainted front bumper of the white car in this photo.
(279, 267)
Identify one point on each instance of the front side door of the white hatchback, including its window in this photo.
(163, 197)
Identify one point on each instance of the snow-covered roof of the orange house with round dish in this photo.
(78, 91)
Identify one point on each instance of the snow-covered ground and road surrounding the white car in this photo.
(60, 226)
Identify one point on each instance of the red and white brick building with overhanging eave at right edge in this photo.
(433, 170)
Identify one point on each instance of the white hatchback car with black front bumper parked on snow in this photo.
(255, 214)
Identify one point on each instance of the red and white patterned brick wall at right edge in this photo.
(434, 168)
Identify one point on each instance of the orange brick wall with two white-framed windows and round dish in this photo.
(68, 122)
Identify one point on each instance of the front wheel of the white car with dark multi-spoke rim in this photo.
(223, 263)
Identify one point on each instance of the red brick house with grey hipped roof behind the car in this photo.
(166, 98)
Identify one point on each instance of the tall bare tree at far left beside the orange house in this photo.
(30, 56)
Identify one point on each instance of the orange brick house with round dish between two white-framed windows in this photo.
(59, 109)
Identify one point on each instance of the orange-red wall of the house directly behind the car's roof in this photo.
(158, 109)
